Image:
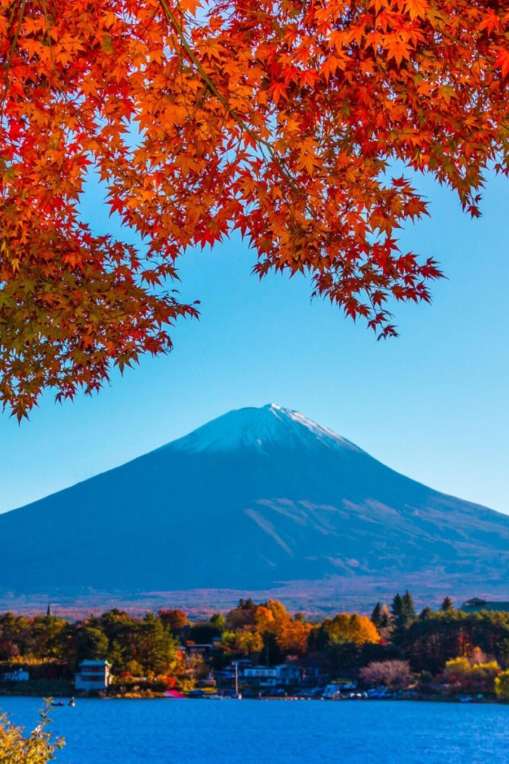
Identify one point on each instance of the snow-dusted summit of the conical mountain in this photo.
(263, 429)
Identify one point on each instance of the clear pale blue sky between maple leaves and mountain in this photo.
(432, 404)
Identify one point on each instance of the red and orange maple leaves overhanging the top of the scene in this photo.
(281, 119)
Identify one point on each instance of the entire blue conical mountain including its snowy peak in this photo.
(251, 500)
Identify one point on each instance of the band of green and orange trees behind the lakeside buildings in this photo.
(433, 643)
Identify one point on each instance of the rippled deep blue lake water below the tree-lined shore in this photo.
(279, 732)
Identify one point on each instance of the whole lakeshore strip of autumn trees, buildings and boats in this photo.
(261, 651)
